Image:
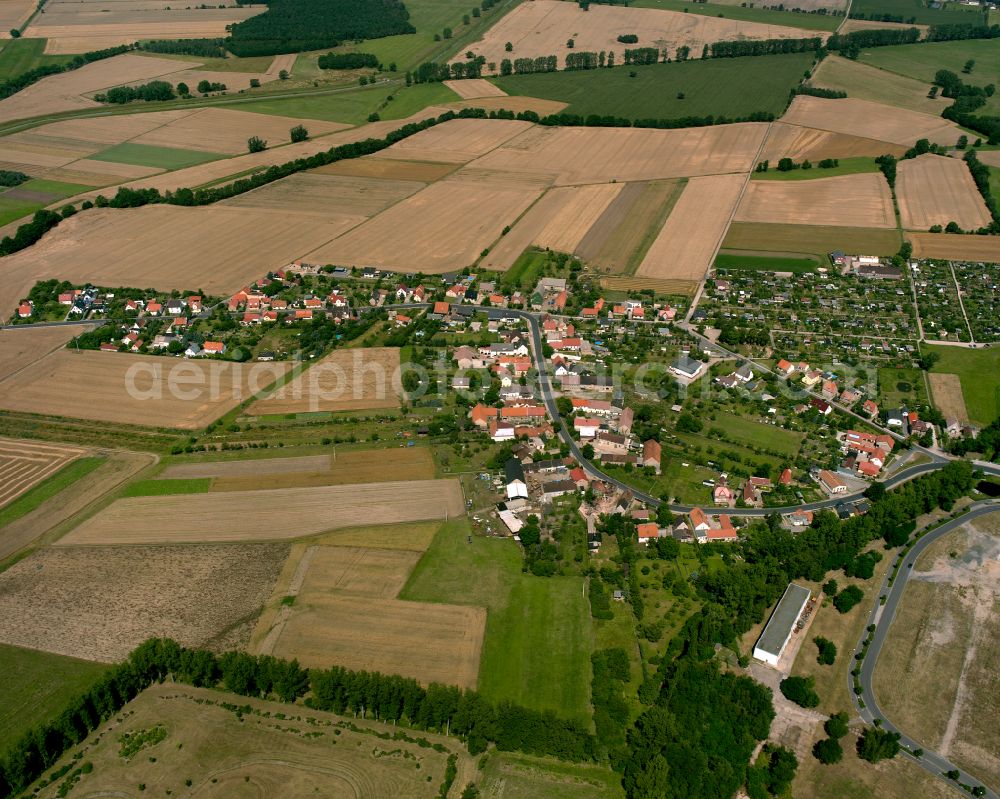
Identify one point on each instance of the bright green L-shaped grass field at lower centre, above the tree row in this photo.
(538, 636)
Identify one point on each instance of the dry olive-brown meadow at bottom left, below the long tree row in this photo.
(307, 753)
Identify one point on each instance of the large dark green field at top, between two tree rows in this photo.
(727, 86)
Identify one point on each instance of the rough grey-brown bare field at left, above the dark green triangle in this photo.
(98, 603)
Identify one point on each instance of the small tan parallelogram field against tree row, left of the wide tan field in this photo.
(458, 141)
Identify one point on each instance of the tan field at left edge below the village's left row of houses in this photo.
(131, 389)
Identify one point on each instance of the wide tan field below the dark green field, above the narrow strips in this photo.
(600, 155)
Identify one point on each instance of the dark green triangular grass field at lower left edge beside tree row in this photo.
(36, 688)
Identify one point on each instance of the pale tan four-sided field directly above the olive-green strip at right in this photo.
(861, 200)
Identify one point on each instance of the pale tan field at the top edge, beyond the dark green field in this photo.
(542, 27)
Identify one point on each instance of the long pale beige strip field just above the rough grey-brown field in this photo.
(281, 514)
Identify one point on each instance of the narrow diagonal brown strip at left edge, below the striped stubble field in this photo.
(35, 526)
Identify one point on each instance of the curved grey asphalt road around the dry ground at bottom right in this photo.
(882, 617)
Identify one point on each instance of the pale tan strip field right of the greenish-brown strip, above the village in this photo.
(687, 242)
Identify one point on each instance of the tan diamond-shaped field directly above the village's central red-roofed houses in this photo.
(433, 231)
